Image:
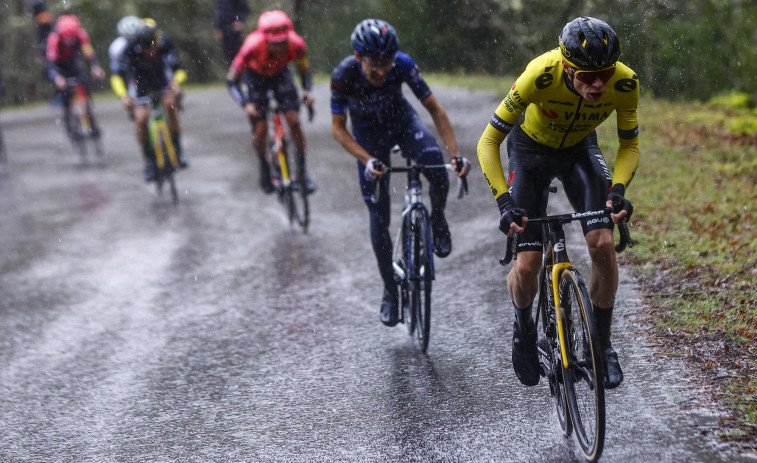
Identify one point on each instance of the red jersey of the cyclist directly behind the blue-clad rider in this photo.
(254, 55)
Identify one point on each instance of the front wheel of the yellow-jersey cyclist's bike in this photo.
(584, 385)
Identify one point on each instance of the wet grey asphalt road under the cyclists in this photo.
(132, 330)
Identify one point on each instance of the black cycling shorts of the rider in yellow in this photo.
(531, 169)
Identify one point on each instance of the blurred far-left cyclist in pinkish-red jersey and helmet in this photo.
(64, 44)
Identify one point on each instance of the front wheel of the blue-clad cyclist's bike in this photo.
(422, 279)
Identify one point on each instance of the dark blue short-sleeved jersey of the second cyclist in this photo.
(352, 92)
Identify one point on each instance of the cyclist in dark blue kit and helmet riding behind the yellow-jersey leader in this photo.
(368, 86)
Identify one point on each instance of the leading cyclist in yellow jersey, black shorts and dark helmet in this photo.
(548, 118)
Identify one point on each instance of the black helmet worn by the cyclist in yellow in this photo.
(589, 44)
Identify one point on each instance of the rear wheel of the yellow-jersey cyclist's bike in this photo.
(549, 354)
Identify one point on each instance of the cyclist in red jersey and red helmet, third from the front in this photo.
(263, 60)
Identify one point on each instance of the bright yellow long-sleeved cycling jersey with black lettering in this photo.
(558, 117)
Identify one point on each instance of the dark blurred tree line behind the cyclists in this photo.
(674, 54)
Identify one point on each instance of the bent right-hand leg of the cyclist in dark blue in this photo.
(418, 143)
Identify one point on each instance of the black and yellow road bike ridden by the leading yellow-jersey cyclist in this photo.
(569, 353)
